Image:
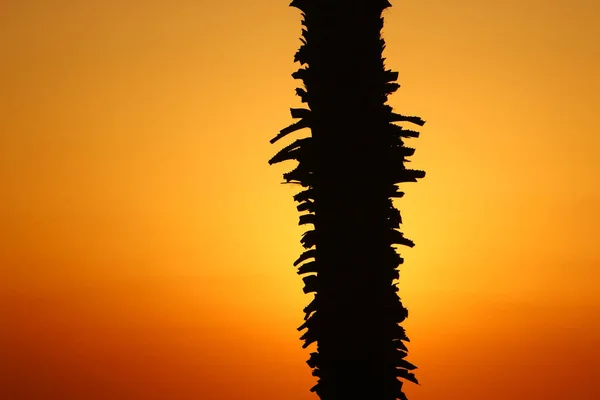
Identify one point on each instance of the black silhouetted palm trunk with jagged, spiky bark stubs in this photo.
(350, 167)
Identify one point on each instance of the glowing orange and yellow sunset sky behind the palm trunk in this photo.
(146, 246)
